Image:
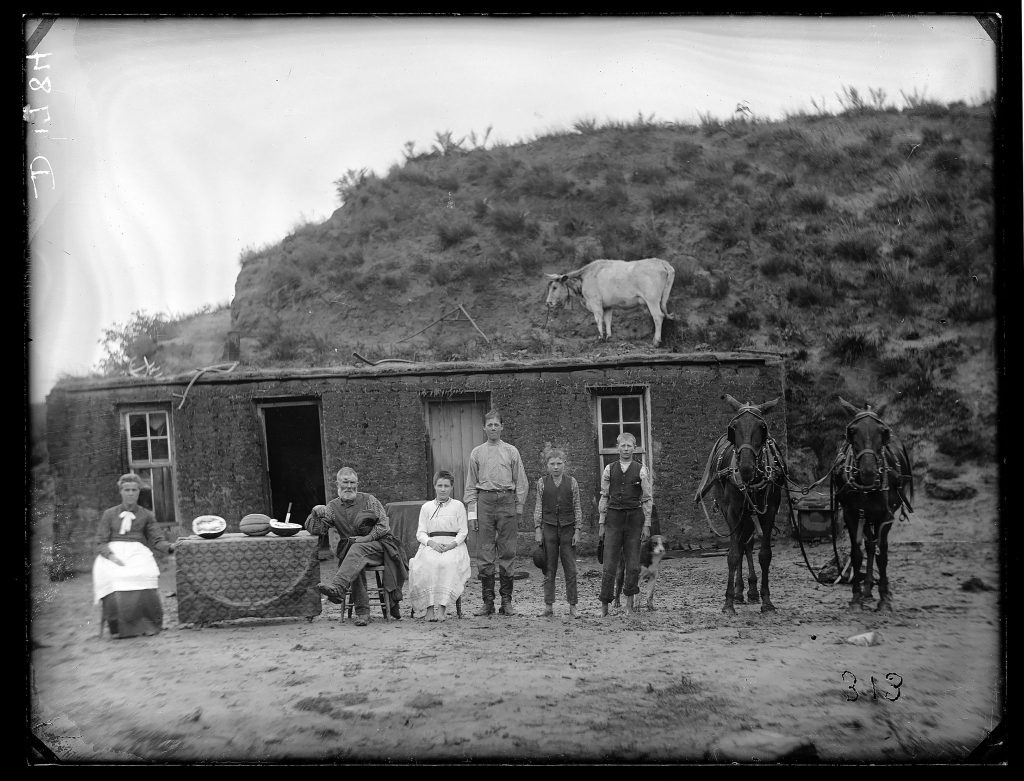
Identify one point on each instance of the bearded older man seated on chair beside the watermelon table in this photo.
(362, 523)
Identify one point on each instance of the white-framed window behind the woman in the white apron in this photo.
(151, 457)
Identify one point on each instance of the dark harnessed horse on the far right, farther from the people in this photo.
(872, 481)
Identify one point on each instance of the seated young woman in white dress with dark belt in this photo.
(441, 570)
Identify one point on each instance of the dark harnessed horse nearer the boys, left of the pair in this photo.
(746, 473)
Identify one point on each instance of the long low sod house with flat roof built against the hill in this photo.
(236, 443)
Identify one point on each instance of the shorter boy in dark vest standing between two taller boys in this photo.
(558, 522)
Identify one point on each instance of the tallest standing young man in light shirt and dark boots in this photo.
(496, 493)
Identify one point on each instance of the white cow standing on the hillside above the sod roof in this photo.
(608, 285)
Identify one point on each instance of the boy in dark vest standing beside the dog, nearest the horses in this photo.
(624, 520)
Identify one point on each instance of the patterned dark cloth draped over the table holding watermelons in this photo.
(242, 577)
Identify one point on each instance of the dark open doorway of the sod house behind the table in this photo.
(294, 458)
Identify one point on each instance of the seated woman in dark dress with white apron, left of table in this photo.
(125, 574)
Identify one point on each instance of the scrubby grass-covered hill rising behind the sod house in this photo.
(859, 246)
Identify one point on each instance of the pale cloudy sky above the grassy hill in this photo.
(159, 151)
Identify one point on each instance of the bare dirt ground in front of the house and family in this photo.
(657, 687)
